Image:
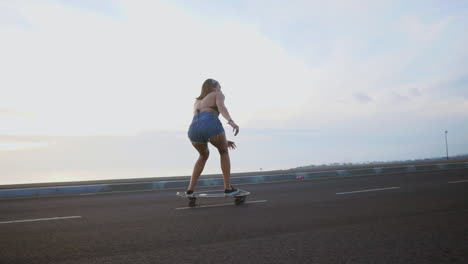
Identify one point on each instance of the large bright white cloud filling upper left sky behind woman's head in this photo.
(93, 74)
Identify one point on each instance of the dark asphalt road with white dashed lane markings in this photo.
(400, 218)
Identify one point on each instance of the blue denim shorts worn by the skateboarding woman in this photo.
(204, 126)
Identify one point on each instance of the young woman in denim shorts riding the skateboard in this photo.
(206, 127)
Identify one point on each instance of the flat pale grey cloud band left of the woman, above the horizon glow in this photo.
(105, 151)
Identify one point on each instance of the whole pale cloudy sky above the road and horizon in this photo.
(105, 89)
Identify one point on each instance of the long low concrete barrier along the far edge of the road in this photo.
(181, 184)
